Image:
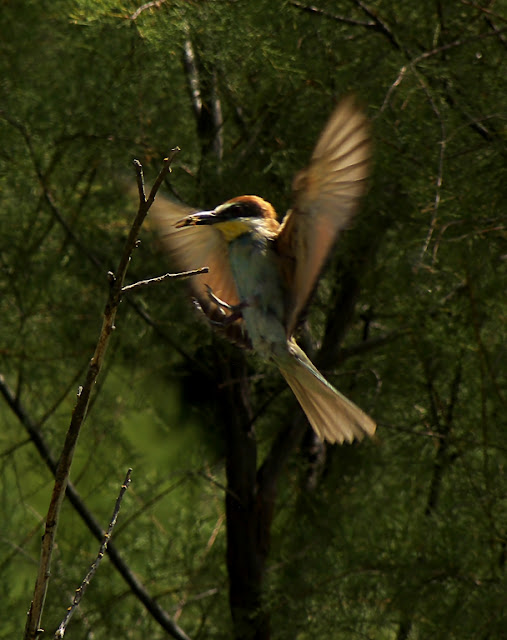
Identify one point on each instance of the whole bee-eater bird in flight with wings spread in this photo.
(262, 273)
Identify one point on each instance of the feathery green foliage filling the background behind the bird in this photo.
(404, 536)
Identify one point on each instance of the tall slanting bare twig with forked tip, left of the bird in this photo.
(33, 628)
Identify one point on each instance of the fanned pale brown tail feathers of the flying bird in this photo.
(333, 416)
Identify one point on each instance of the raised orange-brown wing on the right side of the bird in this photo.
(325, 197)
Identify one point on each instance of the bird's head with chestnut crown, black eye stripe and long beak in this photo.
(236, 217)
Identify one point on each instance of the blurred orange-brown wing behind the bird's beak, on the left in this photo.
(196, 247)
